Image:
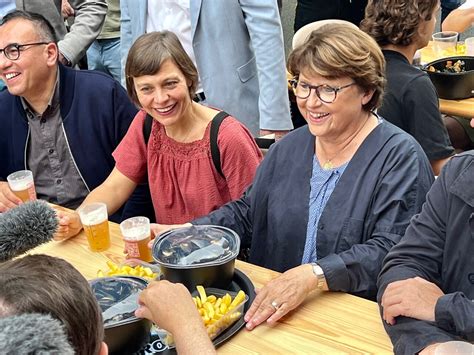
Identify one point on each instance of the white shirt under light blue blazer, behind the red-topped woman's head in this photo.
(174, 16)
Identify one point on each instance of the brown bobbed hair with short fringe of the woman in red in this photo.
(148, 53)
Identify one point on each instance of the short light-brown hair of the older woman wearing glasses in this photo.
(339, 50)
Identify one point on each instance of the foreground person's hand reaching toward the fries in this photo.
(168, 305)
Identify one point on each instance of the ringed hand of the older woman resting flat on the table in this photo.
(286, 292)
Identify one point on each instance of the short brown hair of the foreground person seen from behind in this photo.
(48, 285)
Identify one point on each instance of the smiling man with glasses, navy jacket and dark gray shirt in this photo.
(61, 123)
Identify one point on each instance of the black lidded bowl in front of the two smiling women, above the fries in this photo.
(209, 271)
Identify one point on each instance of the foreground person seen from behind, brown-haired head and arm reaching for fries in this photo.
(49, 285)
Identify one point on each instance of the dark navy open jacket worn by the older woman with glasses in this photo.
(383, 186)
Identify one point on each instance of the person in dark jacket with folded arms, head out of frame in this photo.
(426, 287)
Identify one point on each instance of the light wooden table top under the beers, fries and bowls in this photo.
(326, 323)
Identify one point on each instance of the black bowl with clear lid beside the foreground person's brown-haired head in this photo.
(128, 335)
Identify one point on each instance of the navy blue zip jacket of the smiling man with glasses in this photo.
(96, 114)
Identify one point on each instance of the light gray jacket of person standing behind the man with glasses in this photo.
(89, 17)
